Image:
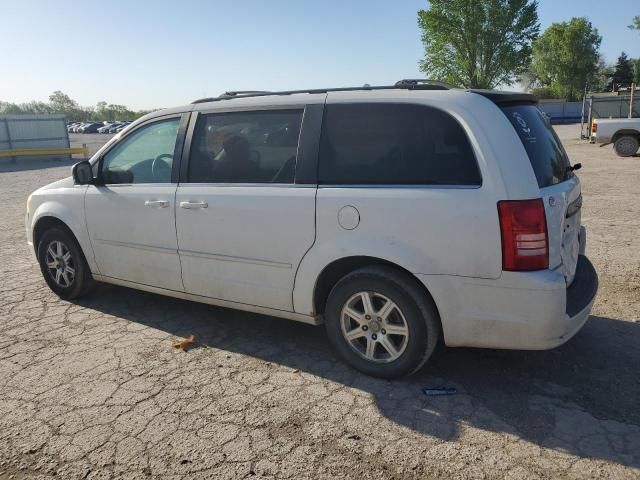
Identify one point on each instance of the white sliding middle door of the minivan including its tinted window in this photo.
(243, 223)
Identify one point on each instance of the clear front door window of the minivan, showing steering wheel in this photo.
(145, 156)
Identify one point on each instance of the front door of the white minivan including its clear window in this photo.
(131, 215)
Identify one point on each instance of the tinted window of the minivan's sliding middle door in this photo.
(245, 147)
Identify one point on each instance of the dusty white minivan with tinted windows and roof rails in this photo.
(397, 216)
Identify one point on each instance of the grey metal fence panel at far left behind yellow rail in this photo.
(24, 132)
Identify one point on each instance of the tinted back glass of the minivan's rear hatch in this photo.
(547, 156)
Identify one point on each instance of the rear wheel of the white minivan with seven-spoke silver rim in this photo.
(412, 312)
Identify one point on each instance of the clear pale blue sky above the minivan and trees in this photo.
(145, 54)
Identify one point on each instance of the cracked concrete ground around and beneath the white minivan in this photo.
(94, 389)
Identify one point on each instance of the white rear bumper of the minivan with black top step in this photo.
(520, 310)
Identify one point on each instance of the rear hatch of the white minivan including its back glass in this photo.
(559, 186)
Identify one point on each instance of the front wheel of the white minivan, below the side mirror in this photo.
(70, 269)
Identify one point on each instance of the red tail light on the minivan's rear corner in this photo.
(523, 227)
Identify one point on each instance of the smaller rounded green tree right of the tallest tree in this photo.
(565, 57)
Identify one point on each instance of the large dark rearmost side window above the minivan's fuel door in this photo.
(394, 144)
